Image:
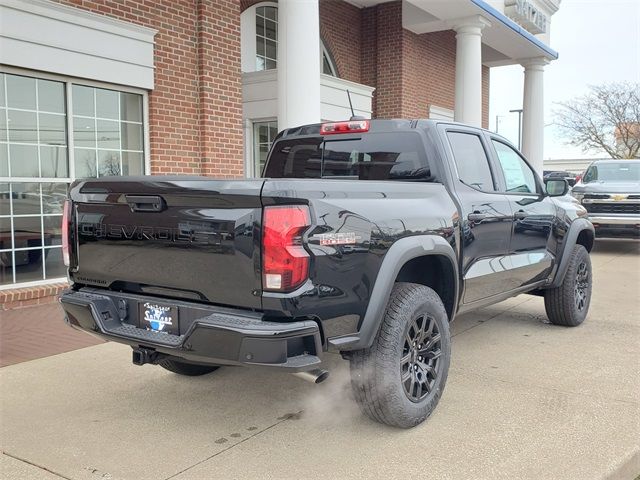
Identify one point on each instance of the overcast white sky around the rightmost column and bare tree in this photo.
(598, 42)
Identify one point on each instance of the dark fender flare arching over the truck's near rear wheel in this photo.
(396, 257)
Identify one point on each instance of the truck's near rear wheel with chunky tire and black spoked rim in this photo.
(376, 372)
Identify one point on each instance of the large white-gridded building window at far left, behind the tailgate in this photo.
(46, 142)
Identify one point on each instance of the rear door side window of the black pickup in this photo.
(471, 161)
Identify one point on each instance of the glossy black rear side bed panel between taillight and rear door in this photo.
(366, 217)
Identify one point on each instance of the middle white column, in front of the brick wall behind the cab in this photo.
(468, 95)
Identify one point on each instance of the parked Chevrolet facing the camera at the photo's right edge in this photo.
(610, 191)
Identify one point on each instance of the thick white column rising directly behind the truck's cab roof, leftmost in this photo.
(298, 63)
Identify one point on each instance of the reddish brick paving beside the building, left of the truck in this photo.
(35, 332)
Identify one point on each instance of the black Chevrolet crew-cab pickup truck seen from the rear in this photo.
(364, 237)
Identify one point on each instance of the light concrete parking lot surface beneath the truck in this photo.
(524, 399)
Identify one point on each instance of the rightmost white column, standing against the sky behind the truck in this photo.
(533, 112)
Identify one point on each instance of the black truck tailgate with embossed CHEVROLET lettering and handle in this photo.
(183, 237)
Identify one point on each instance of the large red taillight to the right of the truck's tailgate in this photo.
(285, 262)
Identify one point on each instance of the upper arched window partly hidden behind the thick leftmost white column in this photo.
(259, 40)
